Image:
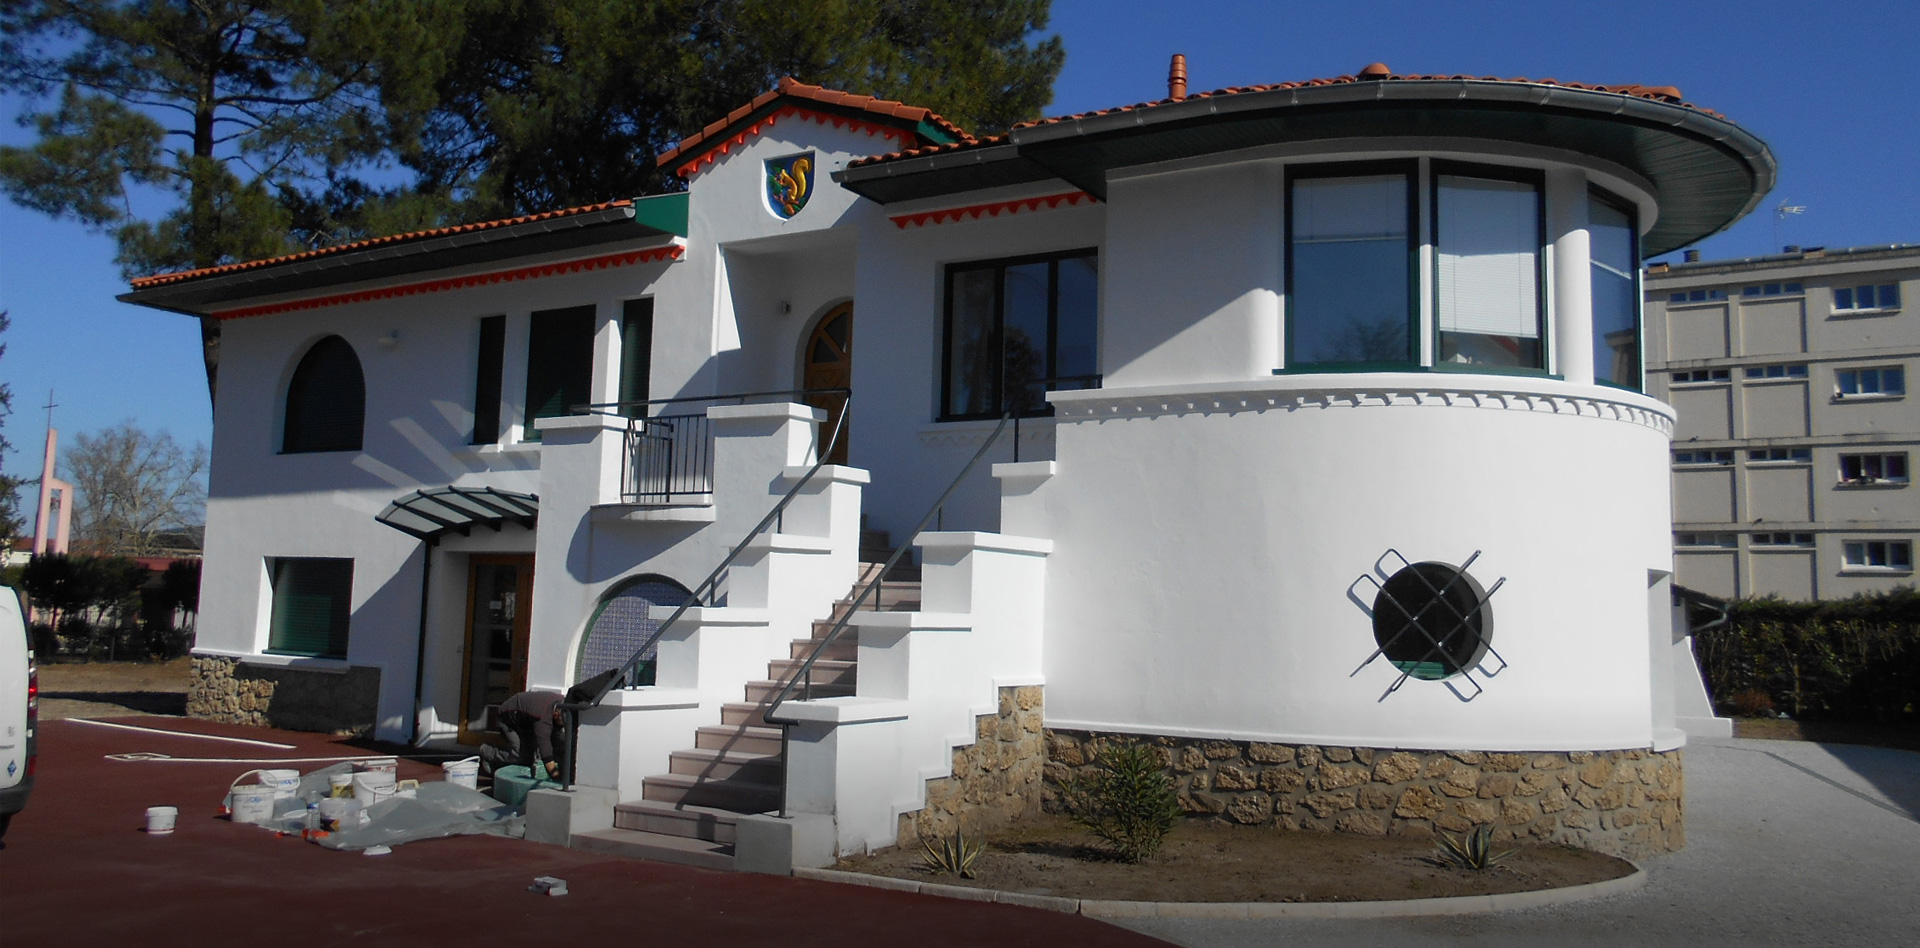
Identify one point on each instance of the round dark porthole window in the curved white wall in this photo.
(1431, 621)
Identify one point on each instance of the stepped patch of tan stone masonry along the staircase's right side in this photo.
(996, 780)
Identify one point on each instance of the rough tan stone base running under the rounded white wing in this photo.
(1621, 803)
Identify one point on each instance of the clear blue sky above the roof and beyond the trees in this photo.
(1827, 85)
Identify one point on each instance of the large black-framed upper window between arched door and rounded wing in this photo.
(1019, 329)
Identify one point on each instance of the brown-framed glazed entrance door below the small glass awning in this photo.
(498, 630)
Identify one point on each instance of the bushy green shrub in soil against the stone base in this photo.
(1126, 801)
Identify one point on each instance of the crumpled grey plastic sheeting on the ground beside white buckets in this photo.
(437, 811)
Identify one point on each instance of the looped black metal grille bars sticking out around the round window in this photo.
(1431, 623)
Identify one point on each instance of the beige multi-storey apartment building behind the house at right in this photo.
(1794, 438)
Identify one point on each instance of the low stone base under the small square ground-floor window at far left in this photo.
(229, 690)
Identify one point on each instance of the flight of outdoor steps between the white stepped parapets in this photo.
(688, 817)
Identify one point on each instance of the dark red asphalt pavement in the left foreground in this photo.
(78, 868)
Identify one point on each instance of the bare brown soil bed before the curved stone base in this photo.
(1216, 863)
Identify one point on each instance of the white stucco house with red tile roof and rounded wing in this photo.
(1332, 475)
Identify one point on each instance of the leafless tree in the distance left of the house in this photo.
(137, 490)
